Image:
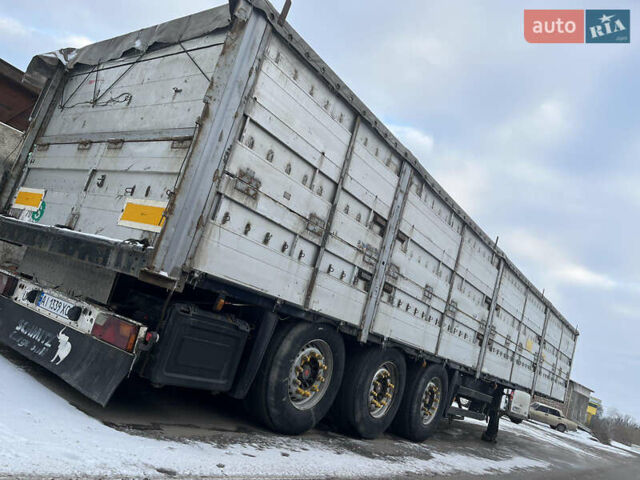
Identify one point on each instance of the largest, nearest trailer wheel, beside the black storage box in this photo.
(298, 379)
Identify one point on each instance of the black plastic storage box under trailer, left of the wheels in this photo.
(197, 349)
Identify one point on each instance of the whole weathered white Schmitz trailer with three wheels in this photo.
(213, 170)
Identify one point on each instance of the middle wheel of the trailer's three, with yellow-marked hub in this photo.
(371, 391)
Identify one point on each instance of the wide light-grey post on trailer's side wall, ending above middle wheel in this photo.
(388, 242)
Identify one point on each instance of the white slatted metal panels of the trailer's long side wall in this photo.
(281, 178)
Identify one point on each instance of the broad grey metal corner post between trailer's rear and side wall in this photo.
(221, 119)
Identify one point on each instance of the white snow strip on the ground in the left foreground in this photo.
(42, 434)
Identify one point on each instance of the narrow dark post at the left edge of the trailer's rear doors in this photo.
(45, 105)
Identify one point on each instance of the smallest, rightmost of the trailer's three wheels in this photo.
(423, 402)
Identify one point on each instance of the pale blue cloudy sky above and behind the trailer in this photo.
(539, 143)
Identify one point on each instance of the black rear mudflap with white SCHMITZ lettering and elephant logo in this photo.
(89, 365)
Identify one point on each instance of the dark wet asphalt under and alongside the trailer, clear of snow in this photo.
(180, 414)
